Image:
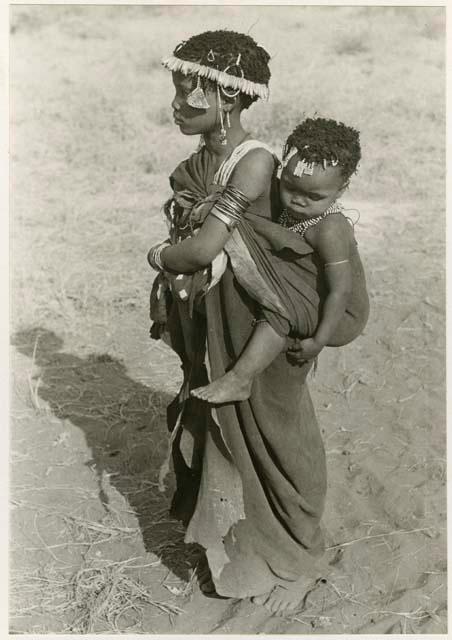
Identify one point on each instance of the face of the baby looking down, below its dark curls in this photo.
(308, 196)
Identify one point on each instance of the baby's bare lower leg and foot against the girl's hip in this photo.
(263, 347)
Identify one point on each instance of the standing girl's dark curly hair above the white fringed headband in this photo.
(220, 49)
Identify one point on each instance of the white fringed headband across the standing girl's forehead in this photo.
(222, 78)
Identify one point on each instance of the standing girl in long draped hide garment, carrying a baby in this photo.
(251, 498)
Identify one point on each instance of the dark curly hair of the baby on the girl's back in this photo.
(319, 139)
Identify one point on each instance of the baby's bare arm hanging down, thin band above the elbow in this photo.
(331, 239)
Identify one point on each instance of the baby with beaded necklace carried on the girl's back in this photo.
(318, 160)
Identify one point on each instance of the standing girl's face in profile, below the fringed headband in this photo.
(192, 121)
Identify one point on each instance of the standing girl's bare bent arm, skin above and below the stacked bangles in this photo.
(252, 176)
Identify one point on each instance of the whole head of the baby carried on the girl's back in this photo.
(319, 158)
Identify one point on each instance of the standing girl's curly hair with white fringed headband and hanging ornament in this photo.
(231, 60)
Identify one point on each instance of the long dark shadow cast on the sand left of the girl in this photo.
(124, 423)
